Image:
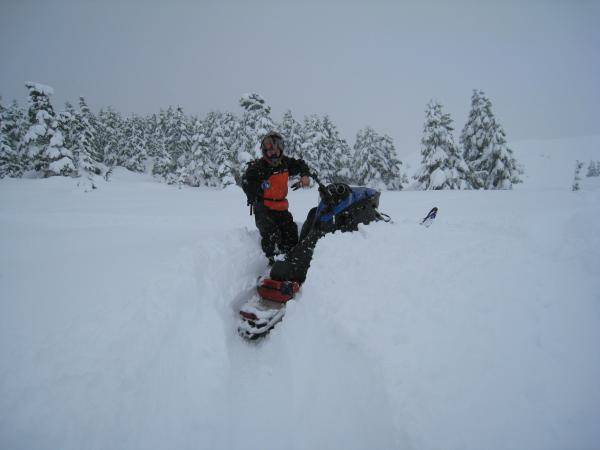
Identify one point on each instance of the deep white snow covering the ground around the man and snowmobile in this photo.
(118, 316)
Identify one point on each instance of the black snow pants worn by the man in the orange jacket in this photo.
(278, 231)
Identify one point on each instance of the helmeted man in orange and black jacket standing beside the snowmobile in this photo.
(266, 186)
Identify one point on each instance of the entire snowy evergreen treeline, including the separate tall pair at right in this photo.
(213, 151)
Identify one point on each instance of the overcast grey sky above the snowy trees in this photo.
(362, 62)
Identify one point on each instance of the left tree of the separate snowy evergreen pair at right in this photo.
(442, 166)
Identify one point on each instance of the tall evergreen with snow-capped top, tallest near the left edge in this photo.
(44, 141)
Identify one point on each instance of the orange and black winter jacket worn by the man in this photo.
(268, 184)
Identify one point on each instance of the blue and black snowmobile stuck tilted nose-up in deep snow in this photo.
(341, 207)
